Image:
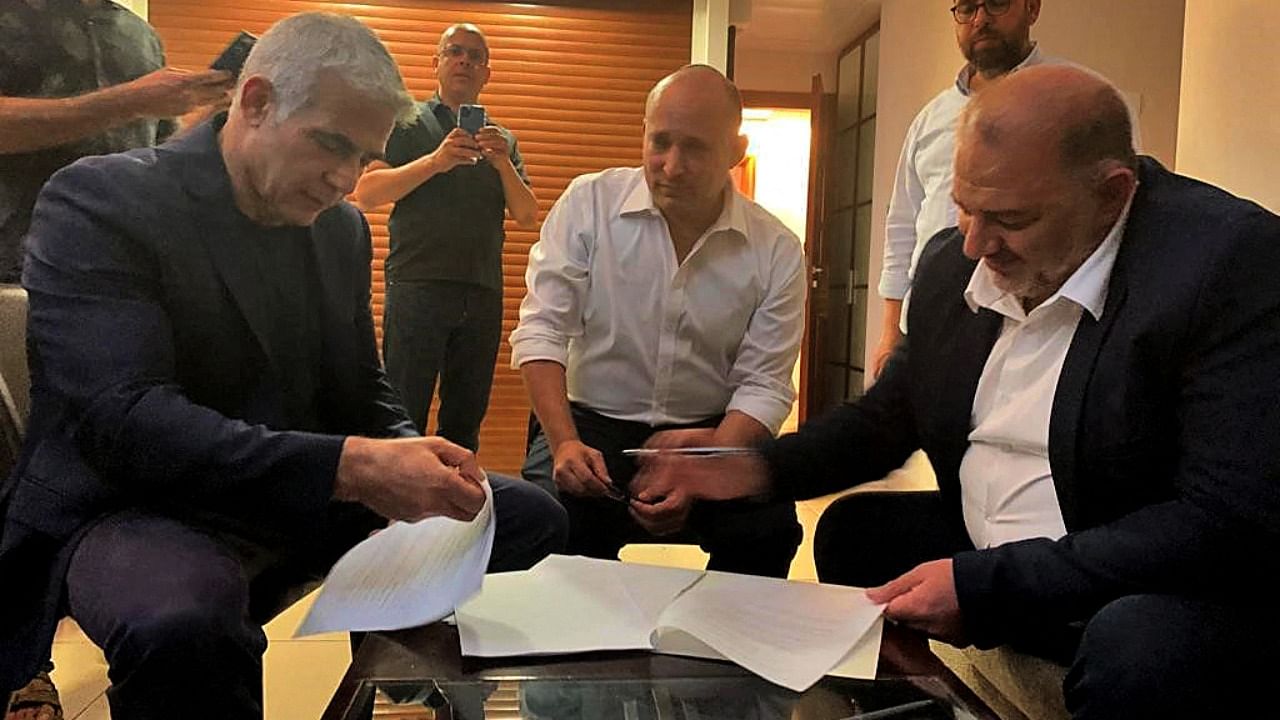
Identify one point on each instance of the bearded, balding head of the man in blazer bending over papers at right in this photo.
(1045, 168)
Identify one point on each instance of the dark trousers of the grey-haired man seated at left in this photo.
(179, 610)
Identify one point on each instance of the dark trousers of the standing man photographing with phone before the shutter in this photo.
(447, 331)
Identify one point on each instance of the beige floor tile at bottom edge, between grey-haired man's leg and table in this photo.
(300, 677)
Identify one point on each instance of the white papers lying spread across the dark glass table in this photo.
(788, 634)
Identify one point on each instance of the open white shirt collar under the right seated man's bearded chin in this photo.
(1087, 286)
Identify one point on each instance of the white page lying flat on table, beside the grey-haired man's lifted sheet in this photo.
(566, 605)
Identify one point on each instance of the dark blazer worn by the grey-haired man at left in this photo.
(154, 377)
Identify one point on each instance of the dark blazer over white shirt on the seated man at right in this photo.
(1165, 427)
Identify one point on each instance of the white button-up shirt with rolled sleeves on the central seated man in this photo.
(648, 340)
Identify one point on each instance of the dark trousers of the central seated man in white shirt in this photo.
(755, 539)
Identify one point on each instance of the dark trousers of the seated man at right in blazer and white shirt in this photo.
(1140, 657)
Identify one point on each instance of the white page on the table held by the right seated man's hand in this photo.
(789, 634)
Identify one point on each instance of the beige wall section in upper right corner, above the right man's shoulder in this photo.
(1229, 121)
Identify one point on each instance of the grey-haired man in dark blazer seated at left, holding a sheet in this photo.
(212, 427)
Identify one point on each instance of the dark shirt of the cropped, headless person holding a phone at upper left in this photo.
(62, 49)
